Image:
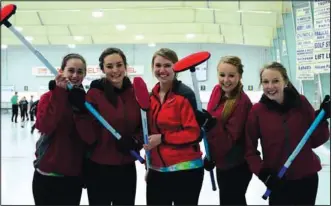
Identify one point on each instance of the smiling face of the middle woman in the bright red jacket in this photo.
(163, 69)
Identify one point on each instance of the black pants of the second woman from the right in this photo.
(233, 184)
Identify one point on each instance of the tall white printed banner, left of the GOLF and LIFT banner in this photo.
(304, 43)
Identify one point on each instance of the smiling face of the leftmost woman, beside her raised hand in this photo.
(75, 71)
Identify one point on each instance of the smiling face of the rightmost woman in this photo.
(273, 84)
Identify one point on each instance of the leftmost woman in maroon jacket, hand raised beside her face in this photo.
(66, 129)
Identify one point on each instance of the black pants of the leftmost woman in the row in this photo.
(49, 190)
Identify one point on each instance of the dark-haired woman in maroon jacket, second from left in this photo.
(110, 168)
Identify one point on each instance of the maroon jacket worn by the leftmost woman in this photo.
(66, 134)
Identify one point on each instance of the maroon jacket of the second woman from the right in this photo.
(226, 139)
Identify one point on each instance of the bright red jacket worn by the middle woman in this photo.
(175, 119)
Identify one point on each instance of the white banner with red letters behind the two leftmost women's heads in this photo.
(92, 70)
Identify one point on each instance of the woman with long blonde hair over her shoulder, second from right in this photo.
(230, 105)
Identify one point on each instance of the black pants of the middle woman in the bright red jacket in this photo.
(182, 187)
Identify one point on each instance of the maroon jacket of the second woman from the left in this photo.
(124, 118)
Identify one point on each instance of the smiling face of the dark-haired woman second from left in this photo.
(115, 69)
